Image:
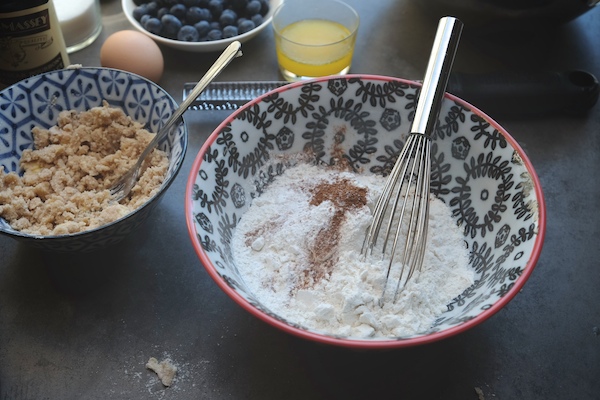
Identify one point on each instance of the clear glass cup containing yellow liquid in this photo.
(314, 38)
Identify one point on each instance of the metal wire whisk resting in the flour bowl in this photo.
(408, 183)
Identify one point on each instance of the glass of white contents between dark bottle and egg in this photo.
(80, 22)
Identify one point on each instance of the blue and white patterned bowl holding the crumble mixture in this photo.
(37, 101)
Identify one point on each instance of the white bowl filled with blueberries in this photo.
(200, 25)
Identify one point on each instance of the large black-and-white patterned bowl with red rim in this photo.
(478, 169)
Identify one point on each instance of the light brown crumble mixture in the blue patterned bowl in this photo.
(66, 176)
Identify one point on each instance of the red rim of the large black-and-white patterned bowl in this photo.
(368, 343)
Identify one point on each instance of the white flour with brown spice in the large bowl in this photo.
(298, 246)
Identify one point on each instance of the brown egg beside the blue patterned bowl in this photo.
(134, 52)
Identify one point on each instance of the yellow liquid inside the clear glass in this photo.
(315, 47)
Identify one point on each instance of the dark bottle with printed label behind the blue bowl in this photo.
(31, 40)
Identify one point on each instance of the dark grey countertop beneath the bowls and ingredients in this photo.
(83, 327)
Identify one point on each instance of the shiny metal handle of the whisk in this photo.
(438, 70)
